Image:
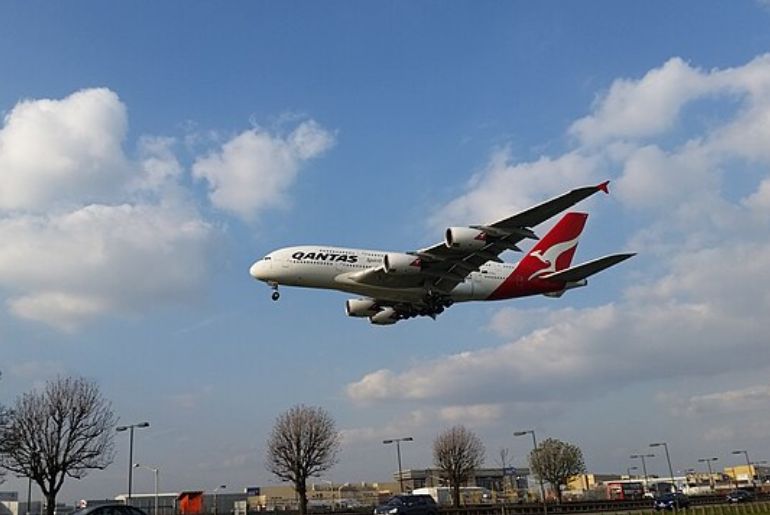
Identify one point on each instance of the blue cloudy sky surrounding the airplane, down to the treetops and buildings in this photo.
(150, 152)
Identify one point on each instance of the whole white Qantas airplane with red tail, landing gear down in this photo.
(465, 266)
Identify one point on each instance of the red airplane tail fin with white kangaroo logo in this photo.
(554, 252)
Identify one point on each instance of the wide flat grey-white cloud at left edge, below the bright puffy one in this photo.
(70, 268)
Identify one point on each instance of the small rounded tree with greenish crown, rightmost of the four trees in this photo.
(556, 461)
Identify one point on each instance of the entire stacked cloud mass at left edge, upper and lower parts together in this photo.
(84, 230)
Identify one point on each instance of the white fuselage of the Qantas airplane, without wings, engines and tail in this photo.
(334, 268)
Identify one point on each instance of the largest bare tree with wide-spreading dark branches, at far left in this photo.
(64, 430)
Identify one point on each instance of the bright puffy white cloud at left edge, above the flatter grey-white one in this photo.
(60, 152)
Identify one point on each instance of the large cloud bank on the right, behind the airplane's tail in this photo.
(687, 151)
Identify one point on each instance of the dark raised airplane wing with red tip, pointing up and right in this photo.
(465, 250)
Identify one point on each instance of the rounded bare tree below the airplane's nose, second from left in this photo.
(304, 442)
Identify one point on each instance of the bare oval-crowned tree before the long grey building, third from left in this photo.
(458, 452)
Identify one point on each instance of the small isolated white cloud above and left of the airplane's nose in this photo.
(254, 170)
